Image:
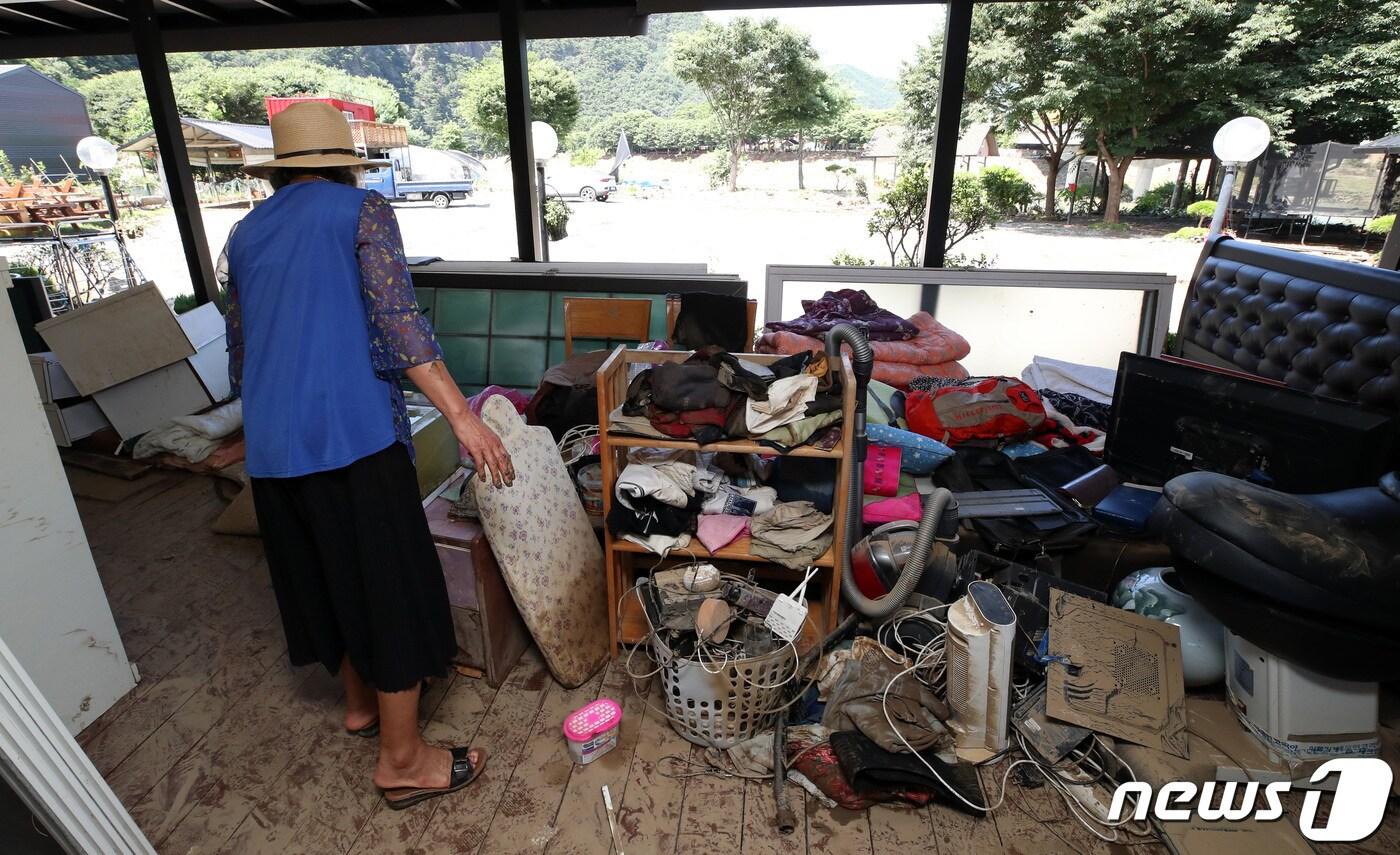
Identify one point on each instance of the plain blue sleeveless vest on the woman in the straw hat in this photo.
(311, 400)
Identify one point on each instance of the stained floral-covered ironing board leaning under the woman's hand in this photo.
(549, 555)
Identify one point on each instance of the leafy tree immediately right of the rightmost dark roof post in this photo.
(1010, 86)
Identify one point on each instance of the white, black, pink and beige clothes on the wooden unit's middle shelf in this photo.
(667, 497)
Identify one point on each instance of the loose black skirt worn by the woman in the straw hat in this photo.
(356, 573)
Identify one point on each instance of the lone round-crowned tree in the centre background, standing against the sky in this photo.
(743, 68)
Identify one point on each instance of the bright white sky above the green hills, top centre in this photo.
(873, 38)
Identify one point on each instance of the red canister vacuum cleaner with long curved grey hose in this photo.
(881, 572)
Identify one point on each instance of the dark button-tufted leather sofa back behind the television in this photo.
(1318, 325)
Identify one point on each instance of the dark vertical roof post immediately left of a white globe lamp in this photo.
(519, 128)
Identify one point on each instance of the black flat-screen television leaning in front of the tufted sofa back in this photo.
(1170, 419)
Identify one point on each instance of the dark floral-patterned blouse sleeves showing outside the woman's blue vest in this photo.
(400, 335)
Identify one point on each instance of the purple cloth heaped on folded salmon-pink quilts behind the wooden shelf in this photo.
(904, 349)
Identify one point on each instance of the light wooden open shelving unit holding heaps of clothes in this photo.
(631, 626)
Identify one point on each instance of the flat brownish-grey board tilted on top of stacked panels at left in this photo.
(117, 339)
